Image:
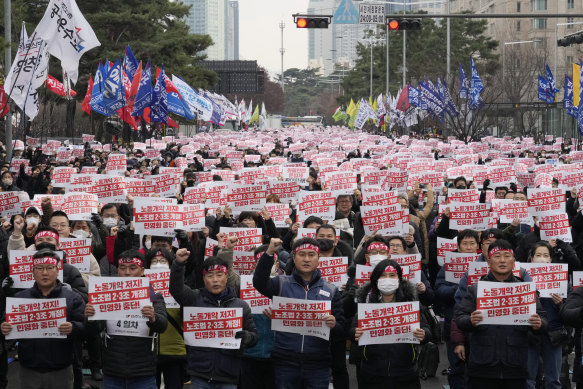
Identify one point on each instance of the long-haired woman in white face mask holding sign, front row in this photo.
(388, 365)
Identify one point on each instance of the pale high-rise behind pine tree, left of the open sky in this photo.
(212, 17)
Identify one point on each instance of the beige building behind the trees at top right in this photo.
(540, 32)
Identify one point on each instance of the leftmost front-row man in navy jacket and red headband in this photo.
(48, 363)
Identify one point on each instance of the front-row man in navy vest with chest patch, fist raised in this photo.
(300, 361)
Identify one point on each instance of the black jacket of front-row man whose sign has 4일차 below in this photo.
(132, 356)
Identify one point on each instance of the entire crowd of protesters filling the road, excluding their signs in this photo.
(534, 354)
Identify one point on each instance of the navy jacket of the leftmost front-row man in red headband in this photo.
(45, 355)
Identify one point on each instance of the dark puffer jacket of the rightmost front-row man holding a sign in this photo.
(496, 351)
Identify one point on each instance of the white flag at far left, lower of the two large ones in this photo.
(28, 72)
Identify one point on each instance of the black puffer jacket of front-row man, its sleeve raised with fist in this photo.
(212, 364)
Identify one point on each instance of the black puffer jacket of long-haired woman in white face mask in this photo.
(390, 360)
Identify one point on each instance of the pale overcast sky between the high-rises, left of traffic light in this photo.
(260, 35)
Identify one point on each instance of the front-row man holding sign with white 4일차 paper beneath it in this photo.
(129, 357)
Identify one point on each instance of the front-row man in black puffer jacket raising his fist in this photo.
(206, 364)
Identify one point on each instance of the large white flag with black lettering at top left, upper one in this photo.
(68, 34)
